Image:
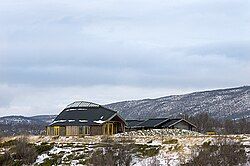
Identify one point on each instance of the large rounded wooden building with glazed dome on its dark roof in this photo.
(86, 118)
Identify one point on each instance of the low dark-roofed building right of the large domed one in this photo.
(159, 123)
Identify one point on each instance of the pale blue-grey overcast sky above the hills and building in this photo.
(53, 52)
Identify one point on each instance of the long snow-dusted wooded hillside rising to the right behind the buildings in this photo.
(224, 103)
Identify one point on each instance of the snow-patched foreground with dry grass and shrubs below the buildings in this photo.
(140, 148)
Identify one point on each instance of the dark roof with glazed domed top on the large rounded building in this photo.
(83, 113)
